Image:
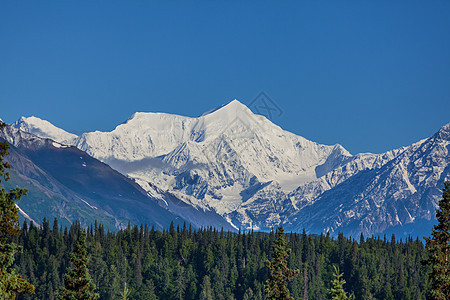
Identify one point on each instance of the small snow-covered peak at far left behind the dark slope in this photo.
(44, 129)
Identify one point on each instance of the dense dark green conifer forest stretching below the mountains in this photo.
(182, 263)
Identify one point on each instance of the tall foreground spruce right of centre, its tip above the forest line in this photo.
(280, 274)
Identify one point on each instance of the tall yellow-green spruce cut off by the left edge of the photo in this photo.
(10, 283)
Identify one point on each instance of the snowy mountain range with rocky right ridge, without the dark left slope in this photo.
(256, 175)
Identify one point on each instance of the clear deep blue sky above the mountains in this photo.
(370, 75)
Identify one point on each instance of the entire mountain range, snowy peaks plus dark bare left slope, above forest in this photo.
(228, 168)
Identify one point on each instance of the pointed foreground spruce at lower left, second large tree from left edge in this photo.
(78, 284)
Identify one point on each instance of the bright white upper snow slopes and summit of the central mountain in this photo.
(150, 135)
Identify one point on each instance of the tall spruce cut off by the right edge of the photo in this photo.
(439, 249)
